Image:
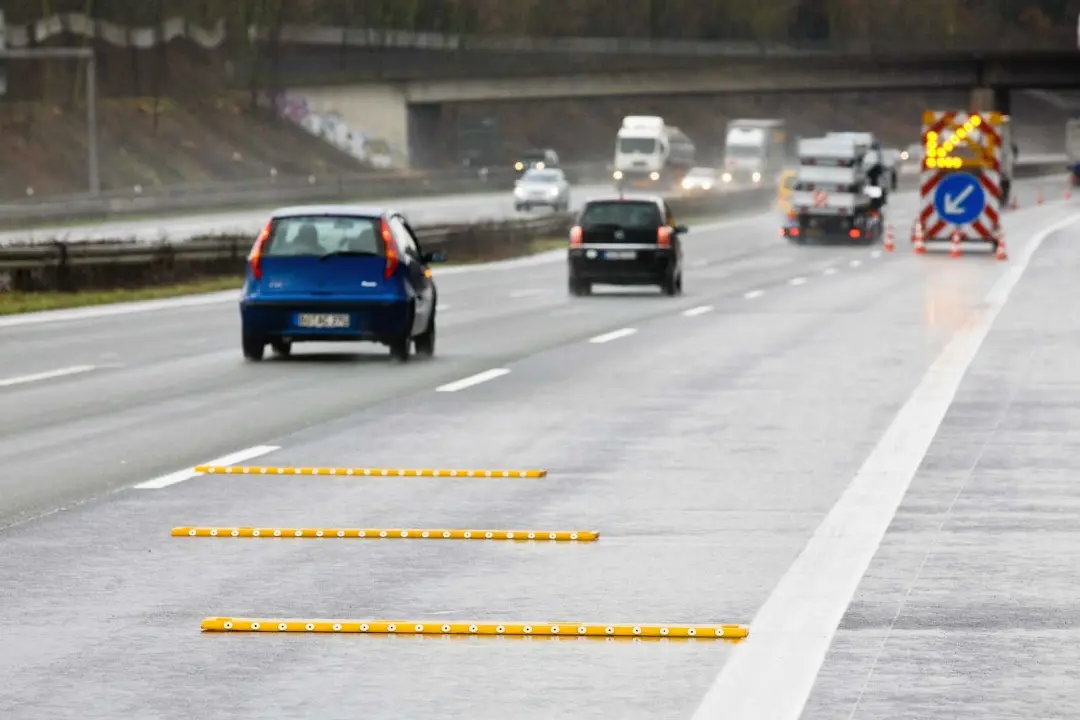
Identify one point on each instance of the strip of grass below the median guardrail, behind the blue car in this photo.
(13, 304)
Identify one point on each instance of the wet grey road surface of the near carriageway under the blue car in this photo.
(811, 438)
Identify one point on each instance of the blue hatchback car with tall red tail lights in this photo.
(339, 275)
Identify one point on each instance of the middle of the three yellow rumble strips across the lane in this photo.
(388, 534)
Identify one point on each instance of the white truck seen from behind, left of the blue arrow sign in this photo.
(834, 196)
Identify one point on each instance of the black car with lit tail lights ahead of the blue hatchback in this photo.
(626, 242)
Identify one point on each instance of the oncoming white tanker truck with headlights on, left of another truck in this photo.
(650, 153)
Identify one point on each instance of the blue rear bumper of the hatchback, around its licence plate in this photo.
(373, 321)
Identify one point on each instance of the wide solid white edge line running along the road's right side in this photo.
(795, 628)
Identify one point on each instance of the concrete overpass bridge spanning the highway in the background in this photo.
(408, 113)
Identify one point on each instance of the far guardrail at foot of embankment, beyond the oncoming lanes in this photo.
(272, 192)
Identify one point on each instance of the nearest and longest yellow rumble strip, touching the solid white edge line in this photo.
(423, 628)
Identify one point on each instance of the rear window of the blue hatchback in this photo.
(322, 235)
